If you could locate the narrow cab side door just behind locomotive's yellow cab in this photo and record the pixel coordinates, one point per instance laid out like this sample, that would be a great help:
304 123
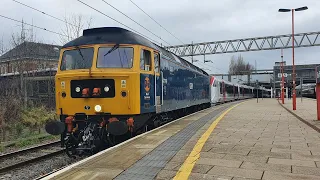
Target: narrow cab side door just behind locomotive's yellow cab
158 82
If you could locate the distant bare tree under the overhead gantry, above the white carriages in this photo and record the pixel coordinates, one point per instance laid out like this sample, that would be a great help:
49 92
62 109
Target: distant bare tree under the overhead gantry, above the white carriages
239 66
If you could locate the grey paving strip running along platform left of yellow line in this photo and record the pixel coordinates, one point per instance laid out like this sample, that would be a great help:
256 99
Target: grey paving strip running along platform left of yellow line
151 164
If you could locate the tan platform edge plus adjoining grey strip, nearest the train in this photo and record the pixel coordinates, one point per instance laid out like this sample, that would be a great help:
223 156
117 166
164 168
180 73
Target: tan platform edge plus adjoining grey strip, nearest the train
143 157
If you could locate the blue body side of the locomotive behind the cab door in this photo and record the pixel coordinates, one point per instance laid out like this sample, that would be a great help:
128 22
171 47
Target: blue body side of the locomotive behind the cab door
182 86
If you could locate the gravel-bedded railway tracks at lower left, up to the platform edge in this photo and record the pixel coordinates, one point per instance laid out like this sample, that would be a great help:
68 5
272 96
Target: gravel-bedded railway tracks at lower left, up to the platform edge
36 162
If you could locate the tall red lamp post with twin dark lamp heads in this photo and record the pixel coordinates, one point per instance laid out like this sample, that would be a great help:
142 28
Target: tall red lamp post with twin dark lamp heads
294 100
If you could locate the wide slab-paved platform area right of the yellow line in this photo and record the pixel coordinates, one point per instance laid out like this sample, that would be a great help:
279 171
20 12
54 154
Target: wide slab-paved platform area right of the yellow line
253 141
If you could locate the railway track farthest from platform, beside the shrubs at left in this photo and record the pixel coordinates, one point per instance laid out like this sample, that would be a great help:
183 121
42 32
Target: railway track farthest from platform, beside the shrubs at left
21 158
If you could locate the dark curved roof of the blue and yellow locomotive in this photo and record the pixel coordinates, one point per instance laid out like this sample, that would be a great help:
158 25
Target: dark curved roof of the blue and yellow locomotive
117 35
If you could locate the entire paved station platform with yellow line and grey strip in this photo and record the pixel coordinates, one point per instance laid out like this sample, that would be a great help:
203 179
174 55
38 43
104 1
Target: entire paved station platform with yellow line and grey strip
249 140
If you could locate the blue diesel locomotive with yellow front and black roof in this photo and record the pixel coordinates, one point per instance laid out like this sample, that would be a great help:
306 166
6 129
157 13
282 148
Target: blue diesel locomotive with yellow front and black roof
112 83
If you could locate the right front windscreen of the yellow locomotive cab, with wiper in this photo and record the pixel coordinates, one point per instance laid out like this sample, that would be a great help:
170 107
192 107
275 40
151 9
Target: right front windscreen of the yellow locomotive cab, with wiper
118 57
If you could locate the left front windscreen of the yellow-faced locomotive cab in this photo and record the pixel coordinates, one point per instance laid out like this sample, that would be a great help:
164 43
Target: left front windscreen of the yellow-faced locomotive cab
80 58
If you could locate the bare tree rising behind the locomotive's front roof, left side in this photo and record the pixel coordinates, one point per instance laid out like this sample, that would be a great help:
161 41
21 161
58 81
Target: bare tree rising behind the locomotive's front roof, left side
73 27
